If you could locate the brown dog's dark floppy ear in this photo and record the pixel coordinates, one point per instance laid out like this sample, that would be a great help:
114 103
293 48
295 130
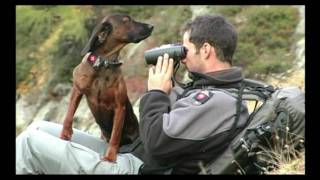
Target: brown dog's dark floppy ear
99 34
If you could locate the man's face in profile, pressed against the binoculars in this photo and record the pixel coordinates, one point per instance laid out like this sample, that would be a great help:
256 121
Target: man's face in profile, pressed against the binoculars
192 60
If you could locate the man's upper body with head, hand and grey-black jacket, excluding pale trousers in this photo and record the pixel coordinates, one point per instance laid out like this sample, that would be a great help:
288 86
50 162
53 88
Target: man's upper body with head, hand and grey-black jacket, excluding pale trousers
193 125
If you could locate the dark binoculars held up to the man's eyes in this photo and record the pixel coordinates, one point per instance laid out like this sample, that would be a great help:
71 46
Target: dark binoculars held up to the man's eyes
176 52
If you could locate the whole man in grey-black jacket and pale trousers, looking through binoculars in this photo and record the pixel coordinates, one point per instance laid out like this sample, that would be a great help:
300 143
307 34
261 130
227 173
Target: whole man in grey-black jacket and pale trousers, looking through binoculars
180 128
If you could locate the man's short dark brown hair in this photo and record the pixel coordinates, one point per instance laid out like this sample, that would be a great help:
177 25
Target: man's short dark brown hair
216 31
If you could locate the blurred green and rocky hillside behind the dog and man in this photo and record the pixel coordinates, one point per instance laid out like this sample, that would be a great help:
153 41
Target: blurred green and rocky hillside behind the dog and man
49 40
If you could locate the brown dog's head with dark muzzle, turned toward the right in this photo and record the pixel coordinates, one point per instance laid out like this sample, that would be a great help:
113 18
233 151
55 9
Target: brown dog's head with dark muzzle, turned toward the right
119 27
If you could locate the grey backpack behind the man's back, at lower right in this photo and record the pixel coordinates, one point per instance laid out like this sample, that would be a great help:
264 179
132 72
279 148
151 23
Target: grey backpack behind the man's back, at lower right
275 125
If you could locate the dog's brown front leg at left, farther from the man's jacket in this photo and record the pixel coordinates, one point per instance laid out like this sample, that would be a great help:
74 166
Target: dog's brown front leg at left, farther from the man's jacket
75 98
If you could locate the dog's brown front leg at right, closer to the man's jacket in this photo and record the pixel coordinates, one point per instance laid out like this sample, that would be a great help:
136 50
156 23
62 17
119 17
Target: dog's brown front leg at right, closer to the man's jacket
118 121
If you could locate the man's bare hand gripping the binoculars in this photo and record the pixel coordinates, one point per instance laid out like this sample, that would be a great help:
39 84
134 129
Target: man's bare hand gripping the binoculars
160 75
